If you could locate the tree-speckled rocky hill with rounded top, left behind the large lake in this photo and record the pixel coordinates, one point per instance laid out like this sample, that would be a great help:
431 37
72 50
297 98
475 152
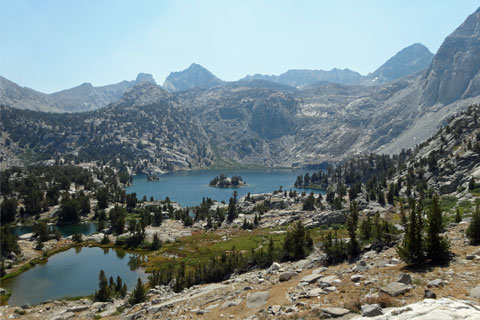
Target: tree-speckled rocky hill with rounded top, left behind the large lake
146 129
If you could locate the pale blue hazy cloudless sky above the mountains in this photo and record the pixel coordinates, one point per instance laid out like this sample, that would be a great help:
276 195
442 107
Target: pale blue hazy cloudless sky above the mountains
51 45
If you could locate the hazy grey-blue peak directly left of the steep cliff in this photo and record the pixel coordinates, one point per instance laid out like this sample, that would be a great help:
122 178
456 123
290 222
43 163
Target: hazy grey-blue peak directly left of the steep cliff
408 61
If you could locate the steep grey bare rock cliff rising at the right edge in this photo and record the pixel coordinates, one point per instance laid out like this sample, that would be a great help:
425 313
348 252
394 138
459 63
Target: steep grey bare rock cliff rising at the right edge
455 70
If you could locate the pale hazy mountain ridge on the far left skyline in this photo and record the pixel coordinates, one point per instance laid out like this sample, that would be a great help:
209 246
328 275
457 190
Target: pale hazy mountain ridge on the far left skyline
84 97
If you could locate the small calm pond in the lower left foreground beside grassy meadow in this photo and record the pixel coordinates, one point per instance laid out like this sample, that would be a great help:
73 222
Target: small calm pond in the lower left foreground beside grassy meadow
73 273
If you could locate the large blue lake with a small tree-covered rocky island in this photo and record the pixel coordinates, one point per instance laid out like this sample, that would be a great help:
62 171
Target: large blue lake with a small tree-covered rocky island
189 187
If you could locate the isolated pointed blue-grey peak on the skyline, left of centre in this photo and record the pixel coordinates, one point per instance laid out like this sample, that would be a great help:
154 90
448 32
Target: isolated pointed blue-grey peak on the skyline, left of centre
193 76
